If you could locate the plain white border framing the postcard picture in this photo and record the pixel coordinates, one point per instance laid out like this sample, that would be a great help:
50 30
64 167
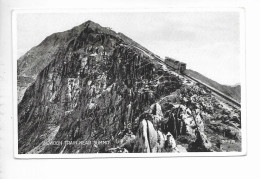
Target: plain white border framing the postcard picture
243 152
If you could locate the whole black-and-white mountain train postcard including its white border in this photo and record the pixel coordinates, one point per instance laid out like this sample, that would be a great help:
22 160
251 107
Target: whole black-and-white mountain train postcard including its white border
128 83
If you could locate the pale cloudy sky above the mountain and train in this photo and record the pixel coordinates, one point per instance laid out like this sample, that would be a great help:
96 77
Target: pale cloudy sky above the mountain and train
207 41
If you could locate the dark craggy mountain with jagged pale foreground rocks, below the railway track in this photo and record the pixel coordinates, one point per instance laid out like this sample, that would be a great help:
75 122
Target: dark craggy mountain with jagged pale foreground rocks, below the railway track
100 93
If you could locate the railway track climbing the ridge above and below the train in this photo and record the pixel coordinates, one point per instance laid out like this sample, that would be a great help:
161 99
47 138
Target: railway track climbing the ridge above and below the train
214 91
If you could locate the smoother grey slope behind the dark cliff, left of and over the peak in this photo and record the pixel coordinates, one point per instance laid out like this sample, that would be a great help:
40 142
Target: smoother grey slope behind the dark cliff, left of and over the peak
36 59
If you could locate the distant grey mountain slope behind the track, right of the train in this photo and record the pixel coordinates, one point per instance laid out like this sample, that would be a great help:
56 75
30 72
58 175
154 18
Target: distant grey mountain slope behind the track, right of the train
232 91
